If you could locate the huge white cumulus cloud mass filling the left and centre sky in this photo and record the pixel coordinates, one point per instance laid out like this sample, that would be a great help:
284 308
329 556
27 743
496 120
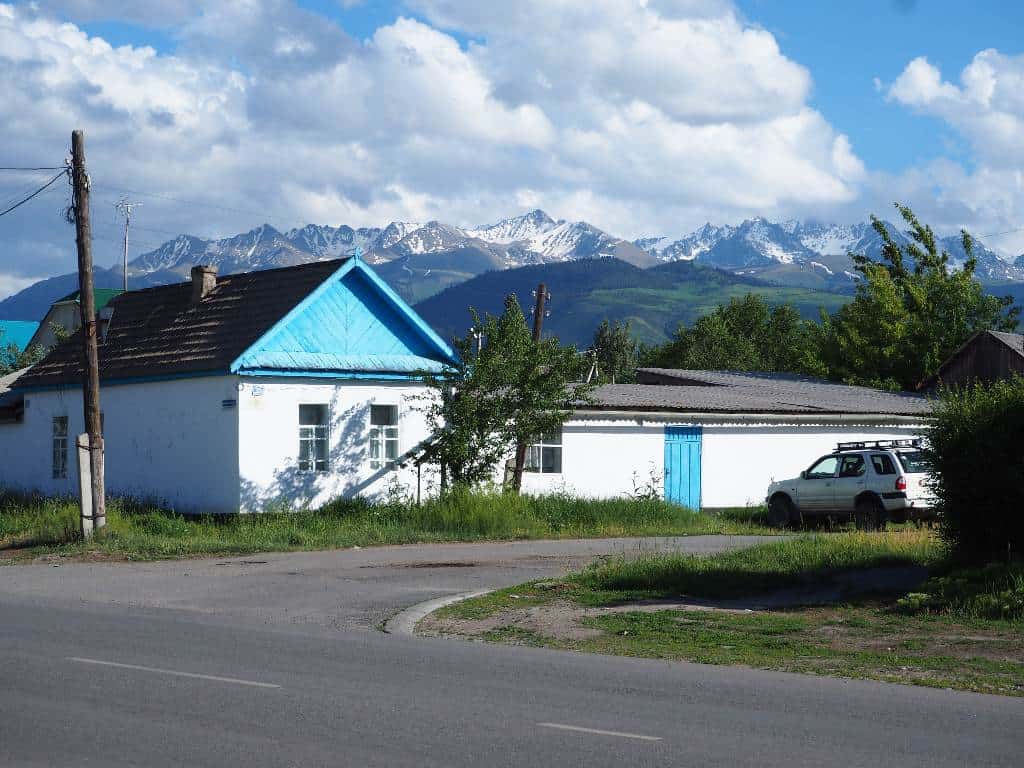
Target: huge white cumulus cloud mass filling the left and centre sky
641 115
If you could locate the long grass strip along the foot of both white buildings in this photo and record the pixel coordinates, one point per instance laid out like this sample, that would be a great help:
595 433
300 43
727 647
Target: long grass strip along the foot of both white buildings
31 526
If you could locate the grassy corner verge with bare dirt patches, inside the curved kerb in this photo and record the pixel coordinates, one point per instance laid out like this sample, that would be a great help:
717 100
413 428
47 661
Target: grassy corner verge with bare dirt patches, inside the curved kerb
961 629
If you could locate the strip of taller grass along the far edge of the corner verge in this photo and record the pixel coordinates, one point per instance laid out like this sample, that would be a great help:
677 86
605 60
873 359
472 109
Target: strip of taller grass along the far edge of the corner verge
779 565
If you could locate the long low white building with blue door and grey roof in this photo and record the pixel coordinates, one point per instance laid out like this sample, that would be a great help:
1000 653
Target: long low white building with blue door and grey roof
711 440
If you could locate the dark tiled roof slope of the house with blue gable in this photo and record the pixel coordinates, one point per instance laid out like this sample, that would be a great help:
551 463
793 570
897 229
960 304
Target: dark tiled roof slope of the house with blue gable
160 332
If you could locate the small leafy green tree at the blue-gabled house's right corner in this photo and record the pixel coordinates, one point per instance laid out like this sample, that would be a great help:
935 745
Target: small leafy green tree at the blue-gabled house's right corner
507 392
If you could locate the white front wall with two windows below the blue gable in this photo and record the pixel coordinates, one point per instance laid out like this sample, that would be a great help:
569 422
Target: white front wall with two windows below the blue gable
269 410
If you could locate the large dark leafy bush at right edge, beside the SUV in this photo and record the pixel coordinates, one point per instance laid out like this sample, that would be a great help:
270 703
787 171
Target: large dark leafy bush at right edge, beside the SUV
977 449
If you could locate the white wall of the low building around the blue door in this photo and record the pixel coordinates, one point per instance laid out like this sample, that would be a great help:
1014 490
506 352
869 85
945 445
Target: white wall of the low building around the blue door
607 458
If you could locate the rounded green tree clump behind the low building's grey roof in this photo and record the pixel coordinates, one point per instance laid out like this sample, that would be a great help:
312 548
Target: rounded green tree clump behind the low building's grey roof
747 334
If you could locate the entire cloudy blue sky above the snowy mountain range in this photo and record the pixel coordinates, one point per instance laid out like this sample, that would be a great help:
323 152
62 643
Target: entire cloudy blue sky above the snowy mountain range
644 117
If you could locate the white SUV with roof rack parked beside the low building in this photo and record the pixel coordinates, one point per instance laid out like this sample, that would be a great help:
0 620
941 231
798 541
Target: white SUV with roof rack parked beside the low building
873 483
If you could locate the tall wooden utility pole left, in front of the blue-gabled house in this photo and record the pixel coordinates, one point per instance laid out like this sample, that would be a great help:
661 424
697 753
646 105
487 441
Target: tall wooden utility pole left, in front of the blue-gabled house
91 355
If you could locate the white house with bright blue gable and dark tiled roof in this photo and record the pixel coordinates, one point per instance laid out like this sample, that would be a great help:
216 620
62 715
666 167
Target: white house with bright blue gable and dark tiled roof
282 388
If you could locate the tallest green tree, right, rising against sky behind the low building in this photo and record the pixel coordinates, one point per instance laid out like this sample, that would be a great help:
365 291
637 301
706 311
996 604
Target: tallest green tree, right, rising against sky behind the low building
911 312
